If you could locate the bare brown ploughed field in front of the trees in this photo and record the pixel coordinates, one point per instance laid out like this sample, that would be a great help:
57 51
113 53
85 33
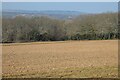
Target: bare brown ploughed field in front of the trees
62 59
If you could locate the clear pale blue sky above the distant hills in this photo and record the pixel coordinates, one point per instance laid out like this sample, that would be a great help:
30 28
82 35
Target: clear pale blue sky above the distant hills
89 7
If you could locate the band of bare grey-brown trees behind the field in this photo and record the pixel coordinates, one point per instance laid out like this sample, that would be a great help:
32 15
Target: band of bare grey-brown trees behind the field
84 27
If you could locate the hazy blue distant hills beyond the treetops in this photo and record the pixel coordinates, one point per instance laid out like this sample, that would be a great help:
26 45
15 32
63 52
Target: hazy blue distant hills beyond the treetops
59 14
